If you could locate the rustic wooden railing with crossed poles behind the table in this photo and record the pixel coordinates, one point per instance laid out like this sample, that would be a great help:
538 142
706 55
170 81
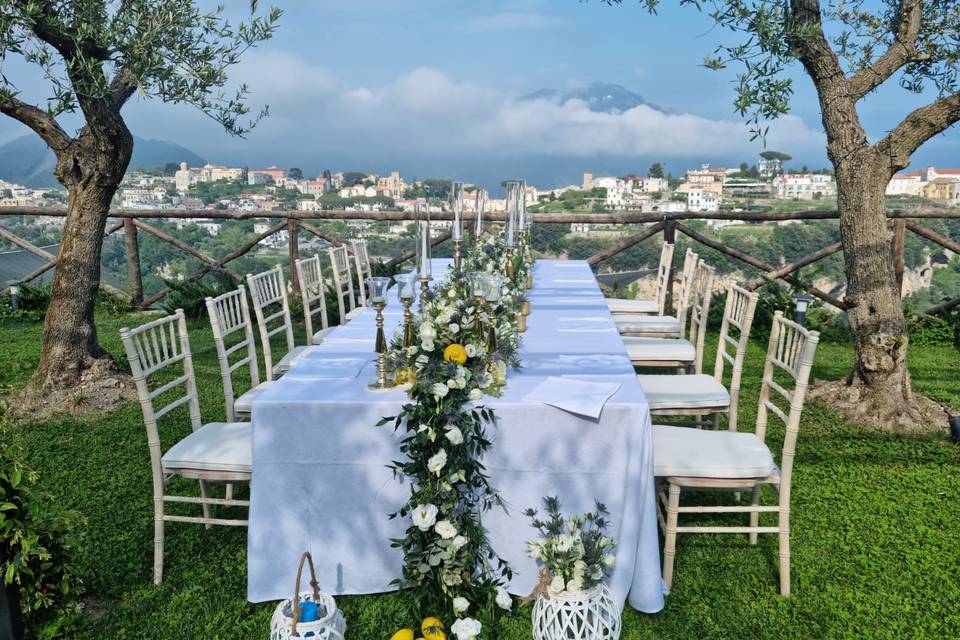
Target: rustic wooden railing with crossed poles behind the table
132 222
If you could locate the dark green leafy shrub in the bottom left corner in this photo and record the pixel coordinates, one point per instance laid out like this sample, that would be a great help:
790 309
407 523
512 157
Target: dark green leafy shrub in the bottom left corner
38 540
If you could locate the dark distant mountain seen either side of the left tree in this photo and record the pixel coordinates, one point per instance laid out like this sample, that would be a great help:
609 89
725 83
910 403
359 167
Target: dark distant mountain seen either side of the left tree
28 161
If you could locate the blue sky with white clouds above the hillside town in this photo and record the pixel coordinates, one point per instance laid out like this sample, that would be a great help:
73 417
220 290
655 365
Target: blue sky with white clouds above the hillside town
430 88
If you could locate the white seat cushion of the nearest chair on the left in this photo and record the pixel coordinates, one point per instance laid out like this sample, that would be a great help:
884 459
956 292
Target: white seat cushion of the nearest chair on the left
217 446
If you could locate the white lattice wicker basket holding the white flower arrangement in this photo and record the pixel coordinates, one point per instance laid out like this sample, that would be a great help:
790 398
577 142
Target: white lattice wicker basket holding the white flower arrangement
577 615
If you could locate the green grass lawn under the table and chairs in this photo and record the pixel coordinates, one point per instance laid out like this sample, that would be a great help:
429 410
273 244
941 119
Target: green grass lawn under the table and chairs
876 524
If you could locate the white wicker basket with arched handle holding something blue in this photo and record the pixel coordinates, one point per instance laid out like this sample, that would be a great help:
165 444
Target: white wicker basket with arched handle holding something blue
329 625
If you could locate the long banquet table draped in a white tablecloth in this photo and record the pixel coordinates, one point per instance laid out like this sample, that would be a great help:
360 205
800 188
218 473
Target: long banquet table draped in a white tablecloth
320 480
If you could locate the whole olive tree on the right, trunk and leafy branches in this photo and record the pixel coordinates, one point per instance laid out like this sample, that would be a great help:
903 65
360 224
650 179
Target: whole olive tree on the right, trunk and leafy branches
848 49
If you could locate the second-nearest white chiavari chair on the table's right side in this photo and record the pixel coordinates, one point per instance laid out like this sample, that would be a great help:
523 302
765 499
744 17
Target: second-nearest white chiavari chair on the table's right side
701 394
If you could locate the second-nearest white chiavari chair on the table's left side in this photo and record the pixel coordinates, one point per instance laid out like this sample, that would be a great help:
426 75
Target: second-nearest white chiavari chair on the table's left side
233 338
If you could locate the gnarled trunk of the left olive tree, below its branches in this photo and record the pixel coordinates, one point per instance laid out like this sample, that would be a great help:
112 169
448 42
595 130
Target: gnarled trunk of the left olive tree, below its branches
91 169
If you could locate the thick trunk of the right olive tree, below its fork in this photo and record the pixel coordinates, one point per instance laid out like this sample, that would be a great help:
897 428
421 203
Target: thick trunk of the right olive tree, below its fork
878 389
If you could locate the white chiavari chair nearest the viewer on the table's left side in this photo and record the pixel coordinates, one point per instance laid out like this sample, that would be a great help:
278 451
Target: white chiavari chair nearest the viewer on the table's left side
214 452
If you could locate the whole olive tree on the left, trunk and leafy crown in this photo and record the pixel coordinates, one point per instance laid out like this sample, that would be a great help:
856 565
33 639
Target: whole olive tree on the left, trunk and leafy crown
96 55
